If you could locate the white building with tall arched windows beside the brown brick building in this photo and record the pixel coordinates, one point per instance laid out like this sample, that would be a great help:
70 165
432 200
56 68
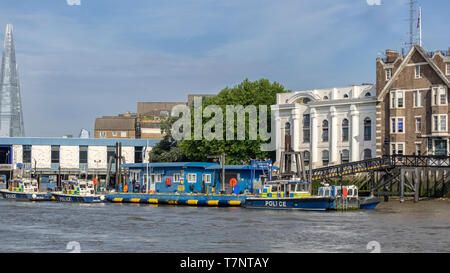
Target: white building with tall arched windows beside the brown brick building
331 125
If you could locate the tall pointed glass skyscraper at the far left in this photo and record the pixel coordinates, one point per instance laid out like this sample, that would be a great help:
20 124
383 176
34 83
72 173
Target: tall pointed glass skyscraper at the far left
11 117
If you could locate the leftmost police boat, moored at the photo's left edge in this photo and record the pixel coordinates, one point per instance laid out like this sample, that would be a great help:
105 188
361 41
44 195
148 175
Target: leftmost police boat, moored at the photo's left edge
25 189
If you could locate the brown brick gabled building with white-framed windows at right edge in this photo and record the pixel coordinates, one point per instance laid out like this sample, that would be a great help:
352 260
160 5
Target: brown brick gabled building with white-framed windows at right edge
412 102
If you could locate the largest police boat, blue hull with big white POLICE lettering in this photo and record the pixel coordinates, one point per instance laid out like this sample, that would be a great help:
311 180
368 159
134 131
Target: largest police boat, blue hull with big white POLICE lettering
288 194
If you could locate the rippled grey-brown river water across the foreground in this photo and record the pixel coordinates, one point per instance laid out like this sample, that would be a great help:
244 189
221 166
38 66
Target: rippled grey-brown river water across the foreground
56 227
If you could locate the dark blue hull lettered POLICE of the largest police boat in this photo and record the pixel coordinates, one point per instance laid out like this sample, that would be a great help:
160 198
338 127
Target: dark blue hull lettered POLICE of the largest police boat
301 203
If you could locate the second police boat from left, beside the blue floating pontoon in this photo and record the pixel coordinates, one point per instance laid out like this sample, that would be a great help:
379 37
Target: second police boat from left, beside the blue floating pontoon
78 191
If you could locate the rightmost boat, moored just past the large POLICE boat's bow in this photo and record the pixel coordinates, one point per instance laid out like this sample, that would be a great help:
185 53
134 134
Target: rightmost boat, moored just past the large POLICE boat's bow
347 198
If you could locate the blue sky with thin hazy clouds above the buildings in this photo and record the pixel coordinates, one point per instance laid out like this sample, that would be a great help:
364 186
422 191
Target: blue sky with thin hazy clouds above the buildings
83 59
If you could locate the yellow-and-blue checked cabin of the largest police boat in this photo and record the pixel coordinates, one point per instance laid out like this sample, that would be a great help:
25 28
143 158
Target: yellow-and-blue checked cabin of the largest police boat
287 188
